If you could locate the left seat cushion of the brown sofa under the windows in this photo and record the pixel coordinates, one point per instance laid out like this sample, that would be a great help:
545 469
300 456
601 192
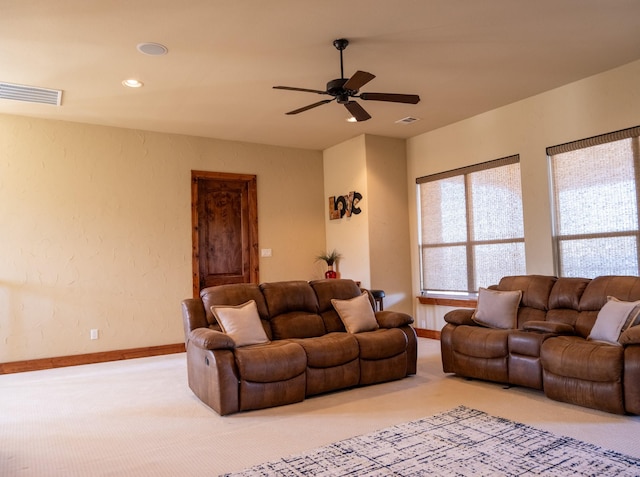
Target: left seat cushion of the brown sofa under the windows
480 342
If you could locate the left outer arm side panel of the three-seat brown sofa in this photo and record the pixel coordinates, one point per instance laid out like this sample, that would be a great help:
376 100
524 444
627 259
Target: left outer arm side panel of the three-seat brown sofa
212 376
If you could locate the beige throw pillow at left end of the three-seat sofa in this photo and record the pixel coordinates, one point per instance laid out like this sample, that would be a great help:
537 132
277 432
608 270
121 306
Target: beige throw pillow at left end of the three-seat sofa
241 322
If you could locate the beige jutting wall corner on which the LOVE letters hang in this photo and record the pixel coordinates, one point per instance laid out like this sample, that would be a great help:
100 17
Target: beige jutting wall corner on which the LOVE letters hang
375 243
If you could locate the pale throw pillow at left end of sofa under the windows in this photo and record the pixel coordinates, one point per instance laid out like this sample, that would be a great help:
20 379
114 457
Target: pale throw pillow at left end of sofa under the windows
497 308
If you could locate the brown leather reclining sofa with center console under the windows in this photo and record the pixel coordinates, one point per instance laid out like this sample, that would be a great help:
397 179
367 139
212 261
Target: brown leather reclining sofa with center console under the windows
550 347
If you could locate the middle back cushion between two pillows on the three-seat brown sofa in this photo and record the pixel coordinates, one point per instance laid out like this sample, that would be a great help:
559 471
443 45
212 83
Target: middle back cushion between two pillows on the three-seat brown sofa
293 310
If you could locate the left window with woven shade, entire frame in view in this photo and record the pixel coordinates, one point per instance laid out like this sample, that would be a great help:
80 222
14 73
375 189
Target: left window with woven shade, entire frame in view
471 227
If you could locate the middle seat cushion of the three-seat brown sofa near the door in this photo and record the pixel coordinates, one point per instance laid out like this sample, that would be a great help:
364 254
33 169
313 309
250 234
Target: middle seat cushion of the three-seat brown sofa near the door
333 349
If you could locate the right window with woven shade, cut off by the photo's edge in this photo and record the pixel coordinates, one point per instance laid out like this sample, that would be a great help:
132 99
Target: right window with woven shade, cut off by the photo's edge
595 205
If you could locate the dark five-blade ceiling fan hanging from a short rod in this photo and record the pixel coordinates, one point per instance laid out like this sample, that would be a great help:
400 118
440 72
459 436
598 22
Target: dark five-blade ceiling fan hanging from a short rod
344 89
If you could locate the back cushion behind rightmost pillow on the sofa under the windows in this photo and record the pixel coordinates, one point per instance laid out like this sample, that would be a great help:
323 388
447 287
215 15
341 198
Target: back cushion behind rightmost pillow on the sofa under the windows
595 296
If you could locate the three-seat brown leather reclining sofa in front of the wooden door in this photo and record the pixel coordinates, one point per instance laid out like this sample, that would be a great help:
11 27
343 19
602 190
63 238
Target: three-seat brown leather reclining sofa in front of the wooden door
308 351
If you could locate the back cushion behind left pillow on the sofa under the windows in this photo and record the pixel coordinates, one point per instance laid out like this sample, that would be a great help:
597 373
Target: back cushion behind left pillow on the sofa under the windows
535 295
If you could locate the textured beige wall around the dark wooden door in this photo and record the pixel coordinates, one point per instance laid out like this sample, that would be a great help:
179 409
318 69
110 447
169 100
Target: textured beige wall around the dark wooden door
95 230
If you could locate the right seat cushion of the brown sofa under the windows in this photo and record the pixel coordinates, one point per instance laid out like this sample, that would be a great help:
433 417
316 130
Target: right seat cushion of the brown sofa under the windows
575 357
